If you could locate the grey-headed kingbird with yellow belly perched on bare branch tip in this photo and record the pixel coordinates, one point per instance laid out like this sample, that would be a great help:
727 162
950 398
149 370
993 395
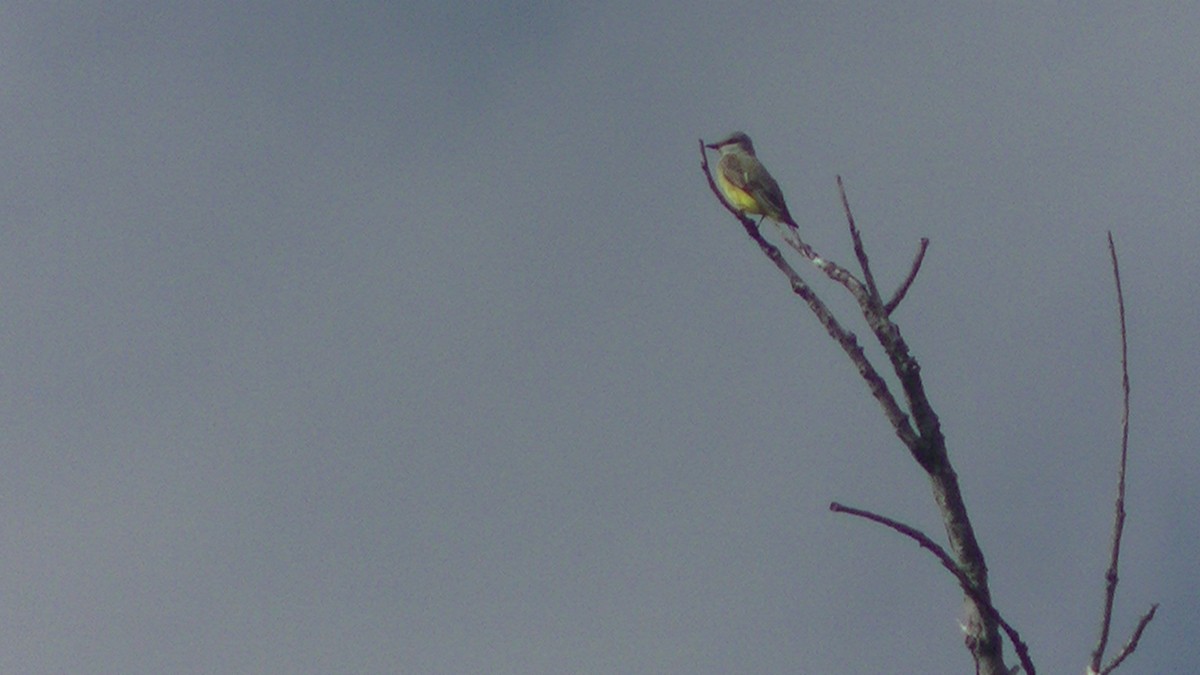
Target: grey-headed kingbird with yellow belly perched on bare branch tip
746 182
